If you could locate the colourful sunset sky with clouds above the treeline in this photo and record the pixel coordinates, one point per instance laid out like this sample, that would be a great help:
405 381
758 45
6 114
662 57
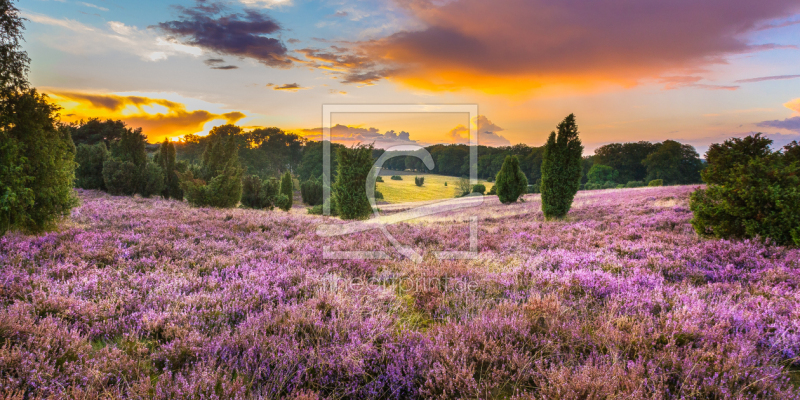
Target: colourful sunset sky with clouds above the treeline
694 71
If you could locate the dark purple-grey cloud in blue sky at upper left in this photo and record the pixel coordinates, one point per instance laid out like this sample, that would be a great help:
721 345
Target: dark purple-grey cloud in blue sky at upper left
207 25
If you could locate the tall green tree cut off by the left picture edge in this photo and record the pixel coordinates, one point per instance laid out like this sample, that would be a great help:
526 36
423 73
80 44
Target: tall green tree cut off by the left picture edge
37 167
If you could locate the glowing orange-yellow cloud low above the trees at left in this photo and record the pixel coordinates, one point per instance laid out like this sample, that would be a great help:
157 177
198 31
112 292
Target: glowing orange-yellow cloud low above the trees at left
158 118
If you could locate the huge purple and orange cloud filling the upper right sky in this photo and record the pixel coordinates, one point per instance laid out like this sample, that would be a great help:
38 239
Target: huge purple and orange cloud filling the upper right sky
512 45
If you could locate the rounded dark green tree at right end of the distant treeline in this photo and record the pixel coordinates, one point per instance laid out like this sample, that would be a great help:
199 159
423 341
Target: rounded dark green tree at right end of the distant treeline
674 163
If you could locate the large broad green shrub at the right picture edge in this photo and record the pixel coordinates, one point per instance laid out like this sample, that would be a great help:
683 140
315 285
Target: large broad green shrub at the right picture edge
751 192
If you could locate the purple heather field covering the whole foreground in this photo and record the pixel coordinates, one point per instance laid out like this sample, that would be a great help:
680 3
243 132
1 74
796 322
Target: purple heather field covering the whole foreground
146 298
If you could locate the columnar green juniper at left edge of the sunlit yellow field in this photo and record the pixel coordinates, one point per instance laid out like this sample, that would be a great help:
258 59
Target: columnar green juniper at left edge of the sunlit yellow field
349 190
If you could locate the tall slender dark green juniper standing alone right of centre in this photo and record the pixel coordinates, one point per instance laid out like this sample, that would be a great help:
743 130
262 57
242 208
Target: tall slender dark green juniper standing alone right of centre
561 169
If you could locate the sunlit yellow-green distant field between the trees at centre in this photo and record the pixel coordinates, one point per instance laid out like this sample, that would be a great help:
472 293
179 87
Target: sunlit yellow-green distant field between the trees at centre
433 189
